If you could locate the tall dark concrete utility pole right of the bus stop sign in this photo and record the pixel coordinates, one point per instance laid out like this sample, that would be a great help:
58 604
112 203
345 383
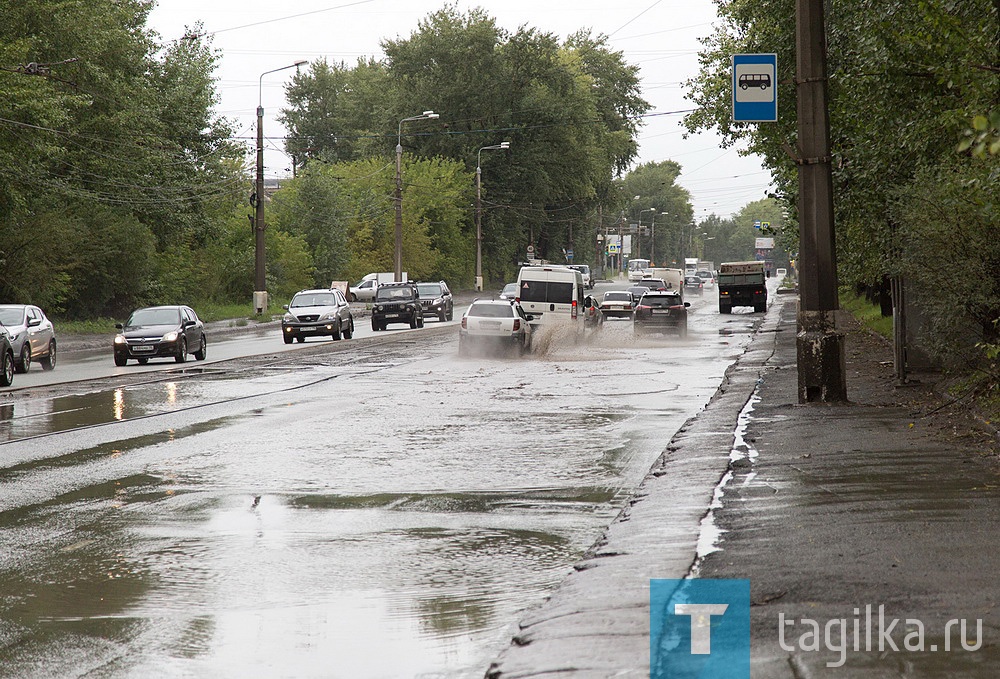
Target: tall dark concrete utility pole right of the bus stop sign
820 348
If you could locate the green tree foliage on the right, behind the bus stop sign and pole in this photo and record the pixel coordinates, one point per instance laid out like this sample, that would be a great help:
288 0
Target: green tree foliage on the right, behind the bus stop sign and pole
904 80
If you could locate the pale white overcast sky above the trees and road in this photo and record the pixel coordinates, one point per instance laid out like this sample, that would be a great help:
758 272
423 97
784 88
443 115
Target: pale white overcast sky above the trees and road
660 36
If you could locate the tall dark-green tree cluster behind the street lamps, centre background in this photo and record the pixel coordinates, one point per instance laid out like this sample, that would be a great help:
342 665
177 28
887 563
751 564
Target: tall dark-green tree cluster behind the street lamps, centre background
570 112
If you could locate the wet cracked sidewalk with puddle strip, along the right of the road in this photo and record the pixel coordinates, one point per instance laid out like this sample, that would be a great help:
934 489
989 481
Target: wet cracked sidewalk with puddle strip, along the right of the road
830 508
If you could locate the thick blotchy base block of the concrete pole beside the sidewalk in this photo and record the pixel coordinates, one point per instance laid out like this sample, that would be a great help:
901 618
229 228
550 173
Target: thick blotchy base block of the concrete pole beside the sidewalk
821 363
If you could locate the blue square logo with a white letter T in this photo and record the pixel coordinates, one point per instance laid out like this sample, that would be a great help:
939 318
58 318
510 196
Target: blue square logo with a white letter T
699 629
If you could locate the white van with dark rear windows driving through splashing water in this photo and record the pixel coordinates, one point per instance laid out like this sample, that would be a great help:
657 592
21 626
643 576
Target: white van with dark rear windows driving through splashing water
551 294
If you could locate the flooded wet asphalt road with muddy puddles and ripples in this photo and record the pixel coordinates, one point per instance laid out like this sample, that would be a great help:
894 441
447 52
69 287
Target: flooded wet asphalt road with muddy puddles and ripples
367 508
